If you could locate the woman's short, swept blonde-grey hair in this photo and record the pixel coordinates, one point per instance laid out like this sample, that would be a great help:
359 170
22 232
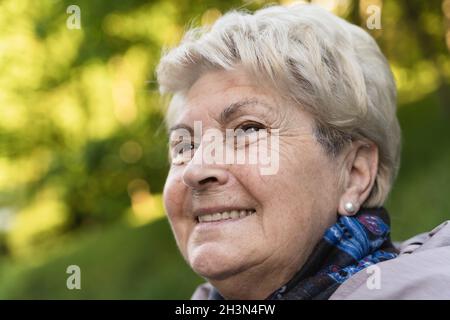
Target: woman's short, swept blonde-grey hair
331 68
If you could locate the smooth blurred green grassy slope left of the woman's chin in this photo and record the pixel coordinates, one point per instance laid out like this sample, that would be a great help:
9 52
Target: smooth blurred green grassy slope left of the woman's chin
120 263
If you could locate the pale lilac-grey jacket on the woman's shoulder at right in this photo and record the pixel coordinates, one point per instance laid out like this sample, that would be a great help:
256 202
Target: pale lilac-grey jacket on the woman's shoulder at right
421 271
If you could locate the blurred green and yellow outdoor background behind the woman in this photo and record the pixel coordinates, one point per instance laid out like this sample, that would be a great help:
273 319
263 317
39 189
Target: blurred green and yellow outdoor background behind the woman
83 146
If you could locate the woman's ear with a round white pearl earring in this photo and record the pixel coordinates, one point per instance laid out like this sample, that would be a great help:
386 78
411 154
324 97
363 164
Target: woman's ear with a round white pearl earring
360 170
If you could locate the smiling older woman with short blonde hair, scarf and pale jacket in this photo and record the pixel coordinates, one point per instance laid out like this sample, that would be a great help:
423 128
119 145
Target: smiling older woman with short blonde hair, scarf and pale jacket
314 227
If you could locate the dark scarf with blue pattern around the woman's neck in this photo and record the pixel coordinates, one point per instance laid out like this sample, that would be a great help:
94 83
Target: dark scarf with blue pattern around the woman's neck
350 245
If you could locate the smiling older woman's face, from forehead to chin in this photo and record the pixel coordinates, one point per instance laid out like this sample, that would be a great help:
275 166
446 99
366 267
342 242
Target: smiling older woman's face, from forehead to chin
278 218
